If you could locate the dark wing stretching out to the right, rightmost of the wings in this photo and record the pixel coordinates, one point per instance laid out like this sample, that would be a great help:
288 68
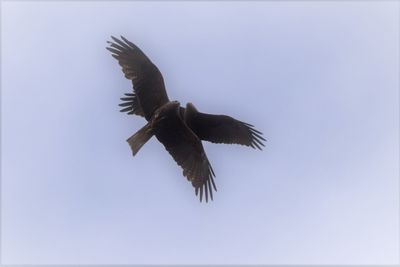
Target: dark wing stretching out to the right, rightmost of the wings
222 129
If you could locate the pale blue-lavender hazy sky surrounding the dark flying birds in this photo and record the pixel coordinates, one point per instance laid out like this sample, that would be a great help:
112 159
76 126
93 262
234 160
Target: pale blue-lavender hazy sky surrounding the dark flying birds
319 79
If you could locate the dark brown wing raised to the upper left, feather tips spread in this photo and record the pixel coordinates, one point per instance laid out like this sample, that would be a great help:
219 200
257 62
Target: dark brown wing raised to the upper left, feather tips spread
148 83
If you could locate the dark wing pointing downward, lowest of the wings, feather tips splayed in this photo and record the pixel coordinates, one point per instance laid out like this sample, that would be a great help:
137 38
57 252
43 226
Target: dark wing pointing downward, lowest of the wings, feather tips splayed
186 149
